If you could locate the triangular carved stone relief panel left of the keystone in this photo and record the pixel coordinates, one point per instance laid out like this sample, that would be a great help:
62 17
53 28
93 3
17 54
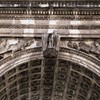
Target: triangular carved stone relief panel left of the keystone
12 45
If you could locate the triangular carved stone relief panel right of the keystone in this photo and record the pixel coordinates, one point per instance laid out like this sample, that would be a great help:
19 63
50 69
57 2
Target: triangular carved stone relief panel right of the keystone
89 46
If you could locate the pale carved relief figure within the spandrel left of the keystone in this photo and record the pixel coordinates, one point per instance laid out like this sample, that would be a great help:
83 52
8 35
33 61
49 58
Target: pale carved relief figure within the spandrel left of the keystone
7 46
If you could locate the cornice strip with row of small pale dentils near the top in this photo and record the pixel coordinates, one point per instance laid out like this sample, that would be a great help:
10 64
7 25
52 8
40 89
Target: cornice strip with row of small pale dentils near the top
45 11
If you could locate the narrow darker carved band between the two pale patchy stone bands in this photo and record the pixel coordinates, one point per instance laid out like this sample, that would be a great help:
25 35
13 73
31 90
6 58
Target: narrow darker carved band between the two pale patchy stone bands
19 26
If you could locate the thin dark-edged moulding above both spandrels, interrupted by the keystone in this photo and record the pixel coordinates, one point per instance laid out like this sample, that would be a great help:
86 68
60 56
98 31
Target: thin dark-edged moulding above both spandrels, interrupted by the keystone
62 35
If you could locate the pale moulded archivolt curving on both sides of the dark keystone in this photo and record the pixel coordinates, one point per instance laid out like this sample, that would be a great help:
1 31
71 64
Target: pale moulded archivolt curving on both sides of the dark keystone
66 54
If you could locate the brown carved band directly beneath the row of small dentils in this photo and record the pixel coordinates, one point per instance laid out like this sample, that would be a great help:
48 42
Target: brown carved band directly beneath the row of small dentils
51 17
